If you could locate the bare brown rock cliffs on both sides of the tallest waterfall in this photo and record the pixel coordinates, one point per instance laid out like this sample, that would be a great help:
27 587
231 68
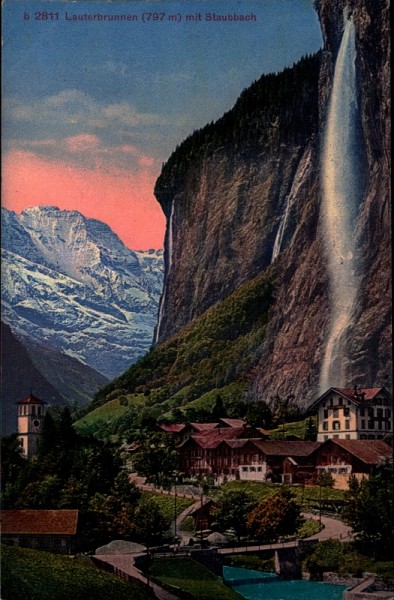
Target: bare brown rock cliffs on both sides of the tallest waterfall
225 211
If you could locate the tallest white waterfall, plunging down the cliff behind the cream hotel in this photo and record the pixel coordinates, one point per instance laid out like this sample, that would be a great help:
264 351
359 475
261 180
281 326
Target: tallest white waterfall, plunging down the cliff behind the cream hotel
341 188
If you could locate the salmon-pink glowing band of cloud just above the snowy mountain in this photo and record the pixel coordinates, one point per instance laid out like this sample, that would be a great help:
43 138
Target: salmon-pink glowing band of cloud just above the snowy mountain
123 200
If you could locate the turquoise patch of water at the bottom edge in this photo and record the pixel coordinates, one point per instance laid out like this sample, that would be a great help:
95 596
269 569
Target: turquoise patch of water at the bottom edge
255 585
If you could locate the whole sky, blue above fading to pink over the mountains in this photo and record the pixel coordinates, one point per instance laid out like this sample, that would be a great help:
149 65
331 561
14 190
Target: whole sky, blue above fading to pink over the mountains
93 107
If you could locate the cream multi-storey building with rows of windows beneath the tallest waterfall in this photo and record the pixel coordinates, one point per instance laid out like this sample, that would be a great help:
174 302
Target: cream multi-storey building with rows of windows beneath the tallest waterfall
354 414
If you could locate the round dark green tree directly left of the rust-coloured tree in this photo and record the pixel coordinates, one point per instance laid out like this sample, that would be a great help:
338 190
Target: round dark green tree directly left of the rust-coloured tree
232 511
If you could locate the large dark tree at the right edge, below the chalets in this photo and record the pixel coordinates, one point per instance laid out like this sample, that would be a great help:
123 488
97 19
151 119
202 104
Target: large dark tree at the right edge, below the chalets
370 511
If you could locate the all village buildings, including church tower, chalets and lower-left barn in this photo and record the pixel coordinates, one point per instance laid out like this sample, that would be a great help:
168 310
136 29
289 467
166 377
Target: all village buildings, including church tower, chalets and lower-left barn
352 426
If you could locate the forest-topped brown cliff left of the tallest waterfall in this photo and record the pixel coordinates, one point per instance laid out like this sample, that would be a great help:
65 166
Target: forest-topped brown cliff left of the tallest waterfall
224 192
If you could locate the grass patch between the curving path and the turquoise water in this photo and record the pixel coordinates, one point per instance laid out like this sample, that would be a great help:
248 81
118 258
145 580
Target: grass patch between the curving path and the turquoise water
190 576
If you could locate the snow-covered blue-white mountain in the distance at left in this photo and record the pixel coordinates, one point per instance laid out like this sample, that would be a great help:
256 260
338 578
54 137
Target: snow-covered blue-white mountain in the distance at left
70 283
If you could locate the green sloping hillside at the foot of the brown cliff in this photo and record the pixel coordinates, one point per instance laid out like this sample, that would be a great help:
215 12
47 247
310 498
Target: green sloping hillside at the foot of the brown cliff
210 357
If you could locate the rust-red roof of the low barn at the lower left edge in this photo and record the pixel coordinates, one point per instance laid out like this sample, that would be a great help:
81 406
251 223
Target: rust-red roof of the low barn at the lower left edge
39 522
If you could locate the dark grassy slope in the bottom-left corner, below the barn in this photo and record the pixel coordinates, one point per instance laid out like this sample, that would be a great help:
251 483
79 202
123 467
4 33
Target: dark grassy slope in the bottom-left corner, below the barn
33 575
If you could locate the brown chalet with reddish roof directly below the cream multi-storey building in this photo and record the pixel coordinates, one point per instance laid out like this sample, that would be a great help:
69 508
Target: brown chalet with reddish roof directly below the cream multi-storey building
343 458
